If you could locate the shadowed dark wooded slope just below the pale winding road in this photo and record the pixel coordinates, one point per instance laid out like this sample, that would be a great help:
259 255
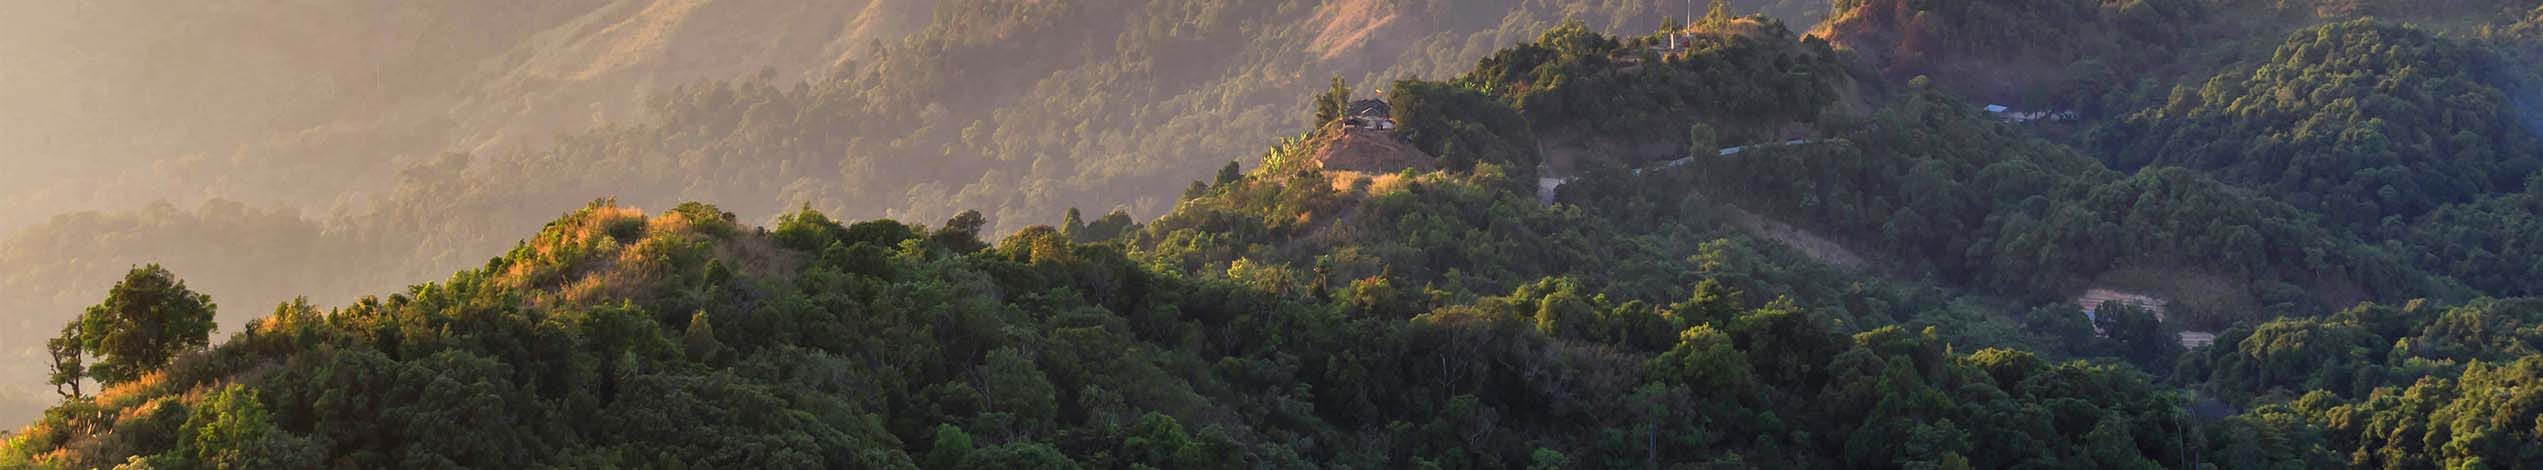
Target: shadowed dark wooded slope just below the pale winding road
2020 217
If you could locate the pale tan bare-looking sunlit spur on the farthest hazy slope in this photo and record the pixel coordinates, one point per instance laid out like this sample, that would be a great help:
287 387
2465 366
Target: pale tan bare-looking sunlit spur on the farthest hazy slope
594 70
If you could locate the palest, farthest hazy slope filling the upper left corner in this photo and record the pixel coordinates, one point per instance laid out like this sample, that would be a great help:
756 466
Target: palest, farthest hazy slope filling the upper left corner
306 103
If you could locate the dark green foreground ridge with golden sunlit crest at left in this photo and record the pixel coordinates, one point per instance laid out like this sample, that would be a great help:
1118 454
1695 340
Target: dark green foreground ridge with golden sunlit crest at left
622 339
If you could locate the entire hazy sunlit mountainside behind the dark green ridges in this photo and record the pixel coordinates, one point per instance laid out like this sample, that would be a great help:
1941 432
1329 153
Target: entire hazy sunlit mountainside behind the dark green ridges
856 108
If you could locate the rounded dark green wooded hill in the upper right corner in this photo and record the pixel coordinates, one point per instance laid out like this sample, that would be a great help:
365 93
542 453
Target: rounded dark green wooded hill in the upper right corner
2356 121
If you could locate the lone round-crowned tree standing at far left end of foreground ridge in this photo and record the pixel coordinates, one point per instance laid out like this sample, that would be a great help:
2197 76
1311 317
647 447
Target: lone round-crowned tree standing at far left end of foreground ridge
144 324
